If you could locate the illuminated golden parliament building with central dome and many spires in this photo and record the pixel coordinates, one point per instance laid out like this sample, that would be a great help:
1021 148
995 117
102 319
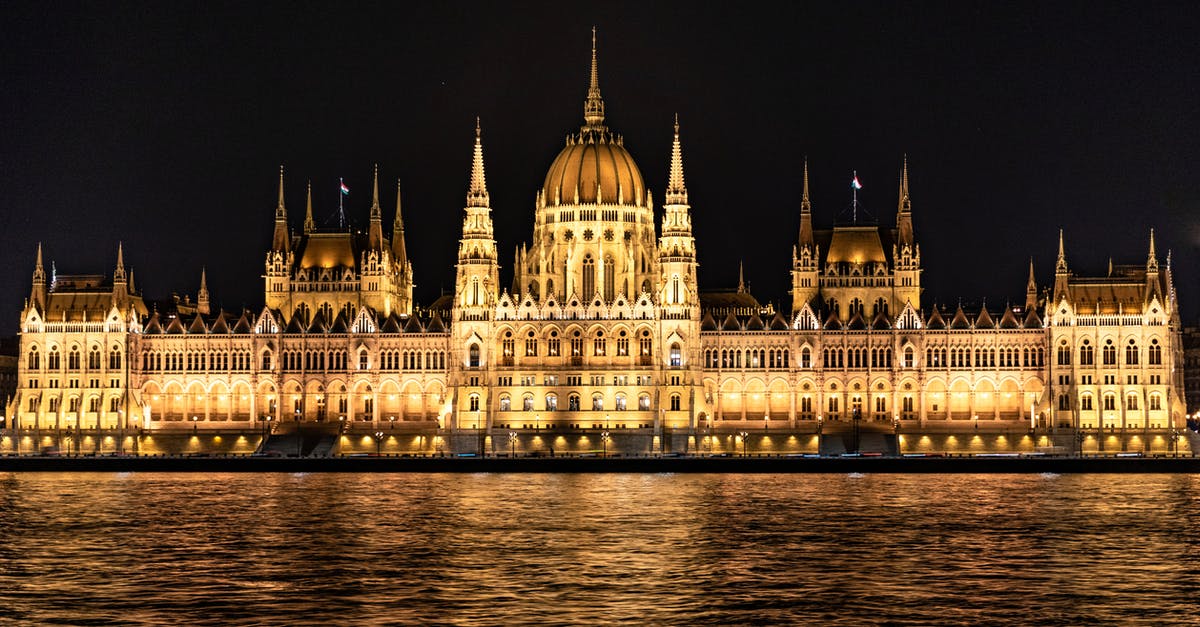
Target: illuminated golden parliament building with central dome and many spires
604 341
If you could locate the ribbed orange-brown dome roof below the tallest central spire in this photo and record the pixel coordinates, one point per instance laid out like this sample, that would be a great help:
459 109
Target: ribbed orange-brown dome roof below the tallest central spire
597 169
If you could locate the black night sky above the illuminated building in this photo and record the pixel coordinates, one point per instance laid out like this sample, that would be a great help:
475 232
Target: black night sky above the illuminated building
164 126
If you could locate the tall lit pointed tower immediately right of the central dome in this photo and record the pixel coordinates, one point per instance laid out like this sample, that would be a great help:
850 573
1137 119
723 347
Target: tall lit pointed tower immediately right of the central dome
679 291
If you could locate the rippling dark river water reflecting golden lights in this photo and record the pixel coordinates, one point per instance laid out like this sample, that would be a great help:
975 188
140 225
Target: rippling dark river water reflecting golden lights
587 550
